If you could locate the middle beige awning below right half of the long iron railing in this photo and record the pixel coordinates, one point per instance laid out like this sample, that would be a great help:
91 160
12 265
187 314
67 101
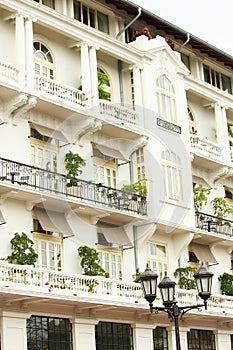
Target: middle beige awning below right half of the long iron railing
115 235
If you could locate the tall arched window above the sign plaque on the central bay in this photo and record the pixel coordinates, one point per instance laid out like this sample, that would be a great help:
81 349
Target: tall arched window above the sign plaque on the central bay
166 99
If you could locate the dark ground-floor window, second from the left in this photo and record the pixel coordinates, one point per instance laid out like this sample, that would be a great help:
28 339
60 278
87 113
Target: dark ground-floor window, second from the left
114 336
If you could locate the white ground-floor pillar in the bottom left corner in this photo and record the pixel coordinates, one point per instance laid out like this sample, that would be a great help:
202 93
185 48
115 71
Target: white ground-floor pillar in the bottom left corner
13 330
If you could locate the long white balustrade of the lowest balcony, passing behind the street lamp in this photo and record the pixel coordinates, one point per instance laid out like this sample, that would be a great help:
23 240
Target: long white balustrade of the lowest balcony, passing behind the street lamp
39 282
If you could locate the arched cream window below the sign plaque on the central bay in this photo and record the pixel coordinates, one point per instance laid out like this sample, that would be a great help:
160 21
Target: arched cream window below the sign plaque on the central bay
171 165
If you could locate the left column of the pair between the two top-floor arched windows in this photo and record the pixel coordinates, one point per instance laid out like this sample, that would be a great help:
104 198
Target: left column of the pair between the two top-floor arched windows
85 69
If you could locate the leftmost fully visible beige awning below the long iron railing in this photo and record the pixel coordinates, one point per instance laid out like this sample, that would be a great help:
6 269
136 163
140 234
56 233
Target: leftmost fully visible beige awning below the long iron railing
53 221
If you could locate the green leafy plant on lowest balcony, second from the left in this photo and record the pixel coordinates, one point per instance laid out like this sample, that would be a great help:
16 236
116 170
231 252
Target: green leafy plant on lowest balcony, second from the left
90 261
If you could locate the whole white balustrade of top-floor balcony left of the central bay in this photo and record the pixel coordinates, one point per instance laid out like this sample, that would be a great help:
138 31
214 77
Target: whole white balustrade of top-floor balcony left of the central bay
56 92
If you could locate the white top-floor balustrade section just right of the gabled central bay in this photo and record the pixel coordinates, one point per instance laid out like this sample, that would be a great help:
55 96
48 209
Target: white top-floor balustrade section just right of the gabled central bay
206 147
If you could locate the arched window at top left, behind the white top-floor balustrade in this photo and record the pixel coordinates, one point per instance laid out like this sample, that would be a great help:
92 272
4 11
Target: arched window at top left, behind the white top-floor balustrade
44 65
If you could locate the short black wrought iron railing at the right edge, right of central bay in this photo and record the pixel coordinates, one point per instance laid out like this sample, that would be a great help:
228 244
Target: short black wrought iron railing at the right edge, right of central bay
210 223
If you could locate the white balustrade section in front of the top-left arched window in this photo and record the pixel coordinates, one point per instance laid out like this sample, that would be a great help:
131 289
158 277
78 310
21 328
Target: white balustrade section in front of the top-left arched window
61 91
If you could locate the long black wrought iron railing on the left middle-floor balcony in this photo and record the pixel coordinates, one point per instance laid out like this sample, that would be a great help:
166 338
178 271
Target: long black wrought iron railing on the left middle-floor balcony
50 182
